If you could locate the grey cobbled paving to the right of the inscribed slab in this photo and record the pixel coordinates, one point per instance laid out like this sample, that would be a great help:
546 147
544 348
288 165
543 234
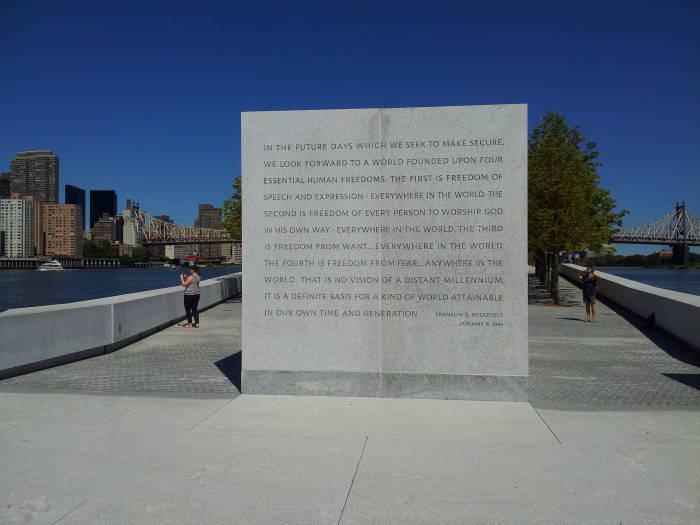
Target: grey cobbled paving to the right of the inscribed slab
611 363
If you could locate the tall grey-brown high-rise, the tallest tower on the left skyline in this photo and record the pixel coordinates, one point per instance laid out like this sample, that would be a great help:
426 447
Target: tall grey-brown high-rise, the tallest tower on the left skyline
35 173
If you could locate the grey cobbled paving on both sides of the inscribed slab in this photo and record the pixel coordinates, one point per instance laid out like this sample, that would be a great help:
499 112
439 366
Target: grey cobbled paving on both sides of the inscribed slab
611 363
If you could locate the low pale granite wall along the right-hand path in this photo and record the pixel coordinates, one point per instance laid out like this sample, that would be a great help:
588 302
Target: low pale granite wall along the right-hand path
677 313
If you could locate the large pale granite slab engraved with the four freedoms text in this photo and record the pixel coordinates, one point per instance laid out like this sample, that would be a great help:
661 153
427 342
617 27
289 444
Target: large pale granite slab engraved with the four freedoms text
385 252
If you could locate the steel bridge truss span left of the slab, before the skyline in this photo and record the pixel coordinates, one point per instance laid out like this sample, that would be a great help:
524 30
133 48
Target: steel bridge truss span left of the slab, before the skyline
157 232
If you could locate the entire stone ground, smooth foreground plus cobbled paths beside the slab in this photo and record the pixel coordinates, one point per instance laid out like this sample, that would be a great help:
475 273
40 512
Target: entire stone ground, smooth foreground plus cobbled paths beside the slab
157 433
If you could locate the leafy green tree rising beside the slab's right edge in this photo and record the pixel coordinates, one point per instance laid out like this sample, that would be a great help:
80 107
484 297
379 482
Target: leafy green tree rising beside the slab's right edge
567 209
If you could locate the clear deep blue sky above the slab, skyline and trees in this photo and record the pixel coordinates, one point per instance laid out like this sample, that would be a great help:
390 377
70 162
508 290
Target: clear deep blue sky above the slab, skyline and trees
145 97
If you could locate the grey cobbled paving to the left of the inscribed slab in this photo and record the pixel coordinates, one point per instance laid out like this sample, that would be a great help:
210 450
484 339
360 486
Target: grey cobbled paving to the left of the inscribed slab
204 361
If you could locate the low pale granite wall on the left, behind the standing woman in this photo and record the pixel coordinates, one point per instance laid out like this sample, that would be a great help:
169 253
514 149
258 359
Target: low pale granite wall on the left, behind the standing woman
41 336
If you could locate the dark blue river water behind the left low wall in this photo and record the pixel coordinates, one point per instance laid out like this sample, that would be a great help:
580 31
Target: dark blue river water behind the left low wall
22 288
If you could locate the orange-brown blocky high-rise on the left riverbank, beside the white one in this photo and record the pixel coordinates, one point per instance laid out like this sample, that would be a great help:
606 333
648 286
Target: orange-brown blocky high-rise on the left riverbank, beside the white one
61 230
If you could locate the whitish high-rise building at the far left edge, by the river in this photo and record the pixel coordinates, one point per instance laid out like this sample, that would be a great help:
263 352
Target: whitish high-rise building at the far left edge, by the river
17 221
